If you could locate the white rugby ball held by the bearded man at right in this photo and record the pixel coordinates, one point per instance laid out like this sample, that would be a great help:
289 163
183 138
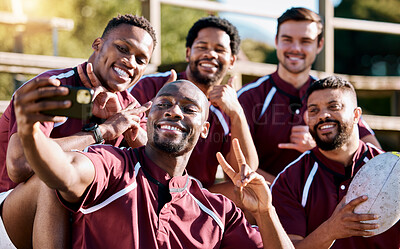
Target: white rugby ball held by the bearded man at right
379 179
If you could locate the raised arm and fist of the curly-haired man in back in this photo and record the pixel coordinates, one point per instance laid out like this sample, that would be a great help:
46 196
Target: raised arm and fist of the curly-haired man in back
225 97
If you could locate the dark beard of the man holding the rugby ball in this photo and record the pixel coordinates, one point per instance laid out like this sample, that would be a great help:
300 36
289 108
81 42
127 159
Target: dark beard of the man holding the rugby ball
342 136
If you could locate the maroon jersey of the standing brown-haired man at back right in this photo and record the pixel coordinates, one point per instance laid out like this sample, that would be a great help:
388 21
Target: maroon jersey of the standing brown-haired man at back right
272 107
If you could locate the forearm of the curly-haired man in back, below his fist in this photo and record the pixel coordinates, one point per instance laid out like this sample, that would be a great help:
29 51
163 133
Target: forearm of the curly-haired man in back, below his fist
240 130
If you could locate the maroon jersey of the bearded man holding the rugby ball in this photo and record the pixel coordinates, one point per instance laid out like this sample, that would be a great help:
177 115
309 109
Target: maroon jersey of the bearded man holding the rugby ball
307 191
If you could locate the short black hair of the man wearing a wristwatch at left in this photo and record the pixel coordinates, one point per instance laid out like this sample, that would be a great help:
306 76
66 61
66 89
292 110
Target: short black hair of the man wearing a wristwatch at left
138 21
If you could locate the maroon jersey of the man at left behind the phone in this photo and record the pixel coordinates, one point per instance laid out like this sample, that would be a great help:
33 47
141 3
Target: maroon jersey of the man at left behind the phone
8 124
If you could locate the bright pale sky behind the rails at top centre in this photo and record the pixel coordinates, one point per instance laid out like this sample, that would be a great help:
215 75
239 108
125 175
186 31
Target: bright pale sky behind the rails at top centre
264 29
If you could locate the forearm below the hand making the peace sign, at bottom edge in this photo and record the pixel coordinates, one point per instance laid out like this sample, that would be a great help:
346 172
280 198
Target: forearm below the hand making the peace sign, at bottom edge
272 233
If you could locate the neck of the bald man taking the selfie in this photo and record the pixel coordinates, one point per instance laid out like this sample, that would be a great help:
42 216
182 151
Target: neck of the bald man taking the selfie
173 165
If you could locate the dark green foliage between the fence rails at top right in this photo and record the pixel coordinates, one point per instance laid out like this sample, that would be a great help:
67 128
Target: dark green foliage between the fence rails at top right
367 53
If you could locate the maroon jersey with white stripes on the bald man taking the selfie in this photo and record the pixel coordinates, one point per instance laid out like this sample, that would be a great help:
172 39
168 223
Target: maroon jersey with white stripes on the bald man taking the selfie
120 208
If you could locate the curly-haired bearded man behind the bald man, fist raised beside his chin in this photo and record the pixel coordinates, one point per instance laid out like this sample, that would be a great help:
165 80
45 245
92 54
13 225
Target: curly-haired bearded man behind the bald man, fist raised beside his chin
212 45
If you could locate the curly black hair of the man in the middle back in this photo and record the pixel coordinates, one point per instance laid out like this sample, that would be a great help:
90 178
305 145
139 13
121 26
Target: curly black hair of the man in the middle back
215 22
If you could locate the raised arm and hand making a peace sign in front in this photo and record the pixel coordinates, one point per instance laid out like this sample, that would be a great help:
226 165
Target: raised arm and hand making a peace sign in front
256 197
